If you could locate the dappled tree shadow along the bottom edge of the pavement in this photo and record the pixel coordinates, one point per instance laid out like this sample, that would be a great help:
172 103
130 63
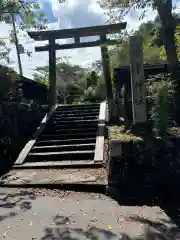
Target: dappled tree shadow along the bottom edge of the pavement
154 230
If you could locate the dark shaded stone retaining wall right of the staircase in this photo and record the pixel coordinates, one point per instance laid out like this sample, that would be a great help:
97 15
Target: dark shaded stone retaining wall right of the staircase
141 163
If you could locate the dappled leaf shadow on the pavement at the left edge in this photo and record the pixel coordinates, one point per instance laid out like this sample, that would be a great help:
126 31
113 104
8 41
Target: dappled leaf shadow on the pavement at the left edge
21 199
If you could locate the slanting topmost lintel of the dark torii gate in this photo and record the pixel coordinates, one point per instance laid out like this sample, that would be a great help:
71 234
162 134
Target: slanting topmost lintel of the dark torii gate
78 32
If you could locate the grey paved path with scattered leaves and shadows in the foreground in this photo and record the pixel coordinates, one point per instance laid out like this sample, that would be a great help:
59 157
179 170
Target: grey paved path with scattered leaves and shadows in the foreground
27 215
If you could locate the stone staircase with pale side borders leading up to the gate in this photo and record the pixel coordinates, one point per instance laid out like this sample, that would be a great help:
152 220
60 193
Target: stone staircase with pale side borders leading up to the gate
69 138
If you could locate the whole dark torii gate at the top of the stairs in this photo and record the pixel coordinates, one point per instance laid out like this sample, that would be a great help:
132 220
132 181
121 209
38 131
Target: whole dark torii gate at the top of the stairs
77 33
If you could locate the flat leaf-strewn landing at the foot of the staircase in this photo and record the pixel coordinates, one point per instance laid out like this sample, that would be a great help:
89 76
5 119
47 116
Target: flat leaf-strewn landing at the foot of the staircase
50 176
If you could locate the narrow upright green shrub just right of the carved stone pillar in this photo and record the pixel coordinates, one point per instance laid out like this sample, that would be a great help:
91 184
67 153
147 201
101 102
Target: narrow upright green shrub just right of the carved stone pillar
160 95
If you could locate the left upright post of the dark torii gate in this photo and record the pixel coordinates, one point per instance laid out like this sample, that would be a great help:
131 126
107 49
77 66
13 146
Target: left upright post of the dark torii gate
52 98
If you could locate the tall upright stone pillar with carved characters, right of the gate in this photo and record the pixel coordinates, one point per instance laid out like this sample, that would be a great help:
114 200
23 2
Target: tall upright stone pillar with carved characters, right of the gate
137 80
